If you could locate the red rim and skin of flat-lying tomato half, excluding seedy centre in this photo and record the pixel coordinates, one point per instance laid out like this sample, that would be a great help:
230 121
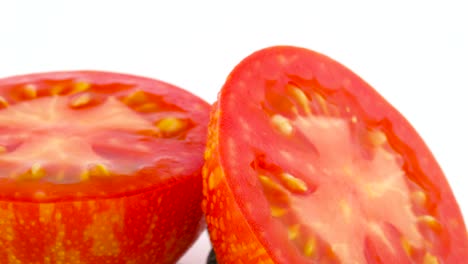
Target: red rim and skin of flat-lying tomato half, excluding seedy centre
151 216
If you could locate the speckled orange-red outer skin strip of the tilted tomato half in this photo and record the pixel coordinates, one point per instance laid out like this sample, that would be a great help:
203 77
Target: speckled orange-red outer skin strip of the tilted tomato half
230 234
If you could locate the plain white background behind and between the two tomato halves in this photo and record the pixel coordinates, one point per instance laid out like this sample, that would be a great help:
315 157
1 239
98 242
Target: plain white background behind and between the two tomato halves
415 54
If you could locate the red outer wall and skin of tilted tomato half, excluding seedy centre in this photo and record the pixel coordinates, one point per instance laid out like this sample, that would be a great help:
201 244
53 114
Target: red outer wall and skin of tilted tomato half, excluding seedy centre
241 229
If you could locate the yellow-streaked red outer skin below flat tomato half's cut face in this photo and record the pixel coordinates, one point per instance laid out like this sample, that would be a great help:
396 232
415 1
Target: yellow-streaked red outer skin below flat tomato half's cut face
152 227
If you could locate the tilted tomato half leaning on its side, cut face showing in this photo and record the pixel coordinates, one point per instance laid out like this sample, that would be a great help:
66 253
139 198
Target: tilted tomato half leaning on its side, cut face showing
306 163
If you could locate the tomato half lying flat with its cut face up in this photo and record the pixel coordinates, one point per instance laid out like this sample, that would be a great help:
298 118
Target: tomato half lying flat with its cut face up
99 167
